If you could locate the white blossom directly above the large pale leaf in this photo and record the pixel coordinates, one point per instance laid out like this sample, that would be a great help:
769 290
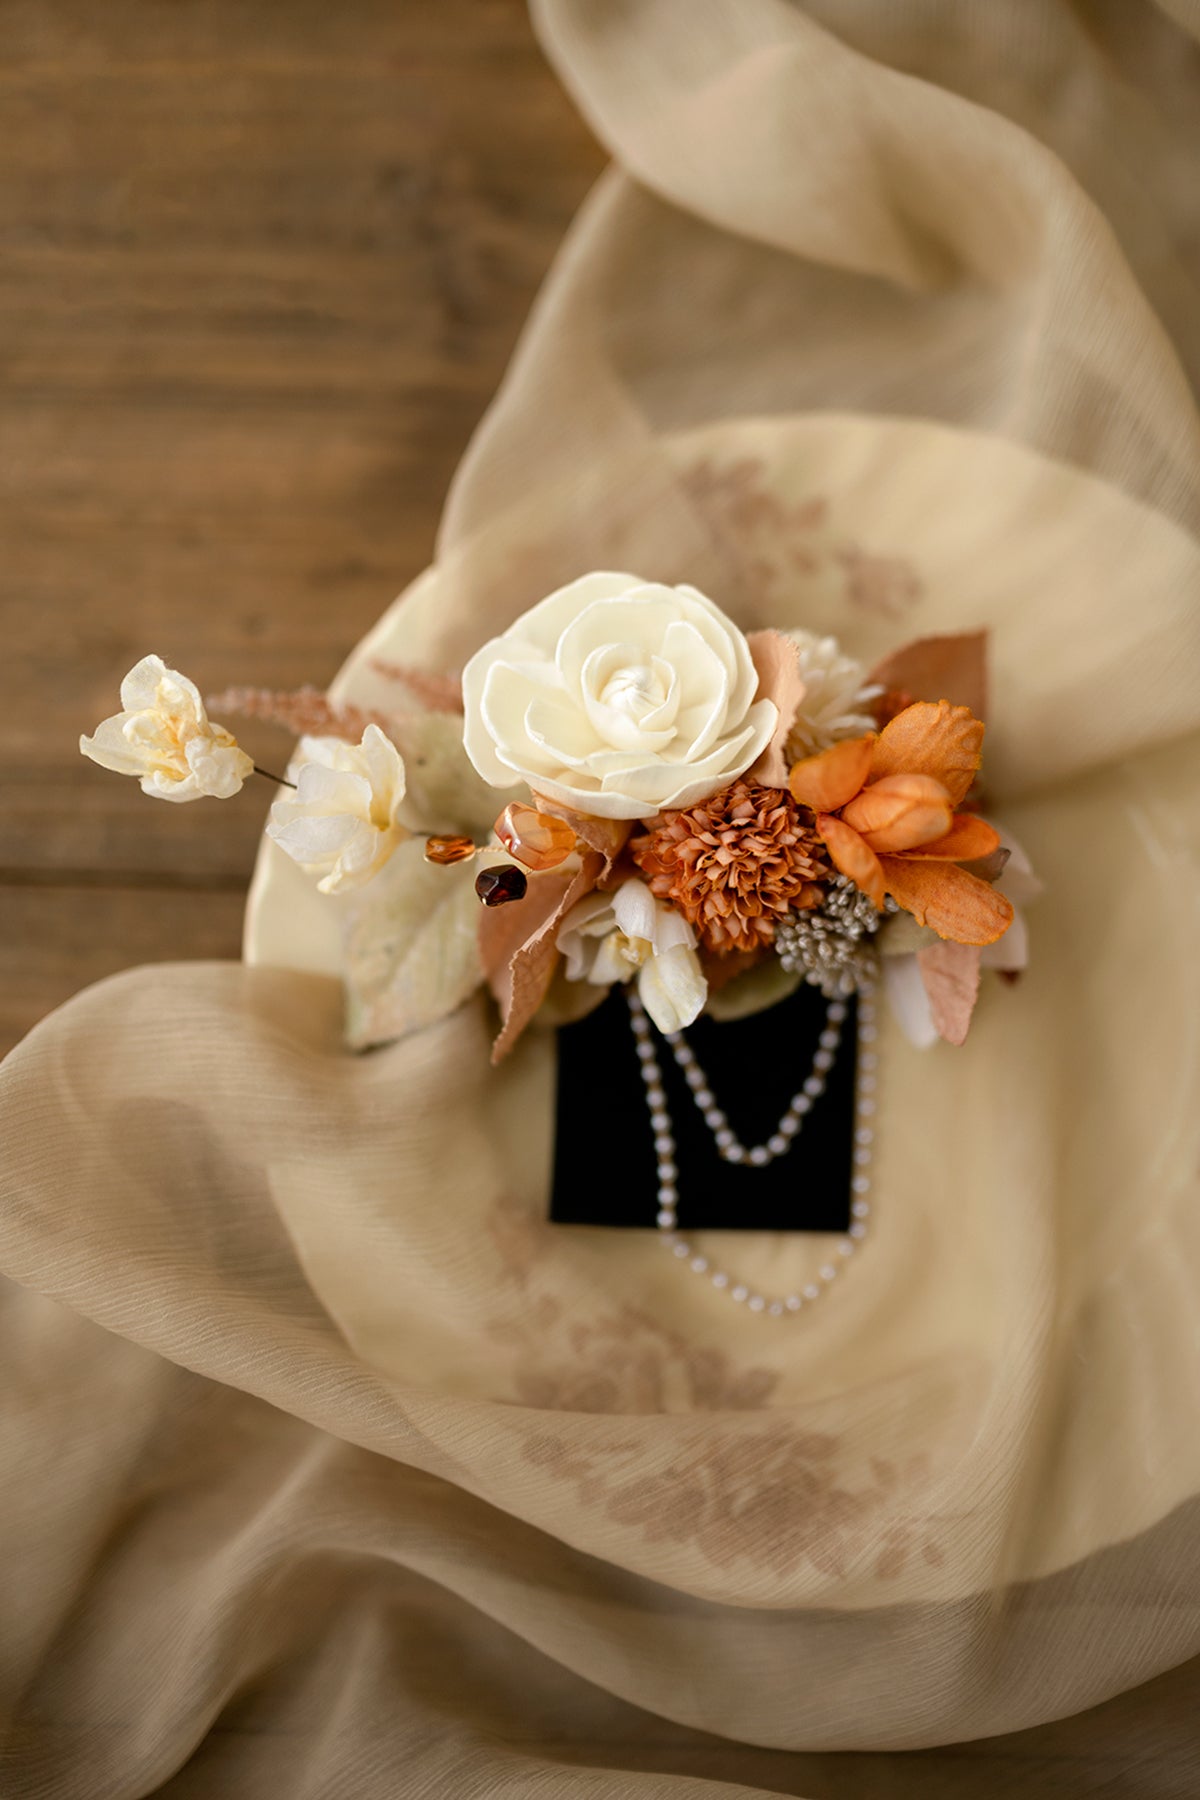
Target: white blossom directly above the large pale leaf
343 823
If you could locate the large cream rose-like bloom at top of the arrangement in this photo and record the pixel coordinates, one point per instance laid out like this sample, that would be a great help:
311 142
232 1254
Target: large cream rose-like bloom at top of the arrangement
616 697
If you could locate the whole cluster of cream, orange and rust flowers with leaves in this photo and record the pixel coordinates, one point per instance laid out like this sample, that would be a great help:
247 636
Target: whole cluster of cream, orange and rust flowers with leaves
625 787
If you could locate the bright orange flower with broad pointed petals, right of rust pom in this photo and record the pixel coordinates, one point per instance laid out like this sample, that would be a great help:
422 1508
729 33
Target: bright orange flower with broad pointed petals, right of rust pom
884 809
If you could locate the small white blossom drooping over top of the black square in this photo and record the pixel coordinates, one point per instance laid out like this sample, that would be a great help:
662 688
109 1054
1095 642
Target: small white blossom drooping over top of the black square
627 935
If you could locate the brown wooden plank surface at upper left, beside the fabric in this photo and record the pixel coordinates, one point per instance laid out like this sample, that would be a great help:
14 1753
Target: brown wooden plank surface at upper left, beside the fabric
262 271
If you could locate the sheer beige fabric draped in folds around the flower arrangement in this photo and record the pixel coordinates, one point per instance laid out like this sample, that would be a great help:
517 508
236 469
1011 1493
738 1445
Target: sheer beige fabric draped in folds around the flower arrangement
330 1468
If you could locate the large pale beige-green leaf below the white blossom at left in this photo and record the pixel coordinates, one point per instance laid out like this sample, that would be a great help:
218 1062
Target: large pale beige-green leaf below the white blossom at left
413 953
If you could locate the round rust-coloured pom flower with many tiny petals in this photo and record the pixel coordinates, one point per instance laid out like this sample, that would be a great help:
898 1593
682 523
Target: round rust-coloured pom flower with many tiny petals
733 865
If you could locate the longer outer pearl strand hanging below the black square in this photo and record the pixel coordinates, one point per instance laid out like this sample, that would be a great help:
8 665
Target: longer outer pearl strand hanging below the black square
668 1174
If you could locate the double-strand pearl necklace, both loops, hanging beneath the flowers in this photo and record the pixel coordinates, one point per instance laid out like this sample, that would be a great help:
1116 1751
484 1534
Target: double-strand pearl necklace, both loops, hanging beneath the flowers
776 1146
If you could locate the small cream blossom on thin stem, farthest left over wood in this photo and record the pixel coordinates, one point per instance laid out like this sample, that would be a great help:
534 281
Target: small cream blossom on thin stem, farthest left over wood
165 739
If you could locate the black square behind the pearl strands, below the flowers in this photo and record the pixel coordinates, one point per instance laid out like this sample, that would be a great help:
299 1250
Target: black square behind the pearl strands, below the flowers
605 1169
